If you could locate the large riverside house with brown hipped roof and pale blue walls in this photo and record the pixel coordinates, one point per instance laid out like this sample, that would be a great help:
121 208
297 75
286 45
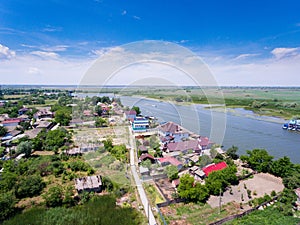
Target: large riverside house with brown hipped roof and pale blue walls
172 131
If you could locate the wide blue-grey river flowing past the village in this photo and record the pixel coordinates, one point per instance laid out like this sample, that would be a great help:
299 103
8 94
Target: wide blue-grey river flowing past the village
243 128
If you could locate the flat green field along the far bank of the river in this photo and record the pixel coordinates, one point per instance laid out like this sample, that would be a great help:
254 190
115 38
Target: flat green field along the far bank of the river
278 102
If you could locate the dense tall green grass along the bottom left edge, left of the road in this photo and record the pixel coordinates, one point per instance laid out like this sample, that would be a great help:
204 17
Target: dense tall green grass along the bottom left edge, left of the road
100 210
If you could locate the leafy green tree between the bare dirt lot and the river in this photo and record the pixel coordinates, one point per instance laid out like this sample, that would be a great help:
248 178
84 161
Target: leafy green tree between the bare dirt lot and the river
258 159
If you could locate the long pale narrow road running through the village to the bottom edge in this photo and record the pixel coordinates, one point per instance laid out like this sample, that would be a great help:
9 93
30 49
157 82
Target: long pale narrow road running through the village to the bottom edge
138 182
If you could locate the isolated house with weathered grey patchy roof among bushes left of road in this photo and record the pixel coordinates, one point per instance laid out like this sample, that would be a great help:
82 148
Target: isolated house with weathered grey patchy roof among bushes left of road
89 184
